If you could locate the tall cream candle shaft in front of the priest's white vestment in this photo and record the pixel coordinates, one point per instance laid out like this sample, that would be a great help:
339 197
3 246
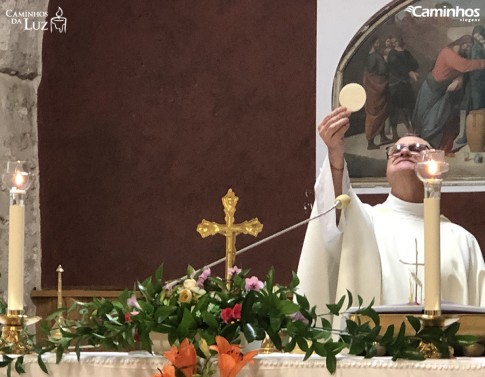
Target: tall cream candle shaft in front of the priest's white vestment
432 260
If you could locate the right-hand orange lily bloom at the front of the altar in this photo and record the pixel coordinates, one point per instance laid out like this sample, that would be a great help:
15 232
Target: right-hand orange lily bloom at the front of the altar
231 360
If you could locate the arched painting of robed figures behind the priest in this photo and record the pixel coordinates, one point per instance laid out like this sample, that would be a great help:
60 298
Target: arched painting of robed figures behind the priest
423 69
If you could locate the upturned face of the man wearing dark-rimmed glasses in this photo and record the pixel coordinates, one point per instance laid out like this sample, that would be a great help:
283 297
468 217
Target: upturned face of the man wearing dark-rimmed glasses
402 157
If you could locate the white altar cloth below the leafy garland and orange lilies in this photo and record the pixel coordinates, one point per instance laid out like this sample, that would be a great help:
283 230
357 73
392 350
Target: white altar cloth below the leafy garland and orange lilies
108 364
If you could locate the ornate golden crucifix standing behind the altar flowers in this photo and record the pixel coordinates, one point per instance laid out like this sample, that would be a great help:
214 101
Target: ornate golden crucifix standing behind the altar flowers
229 229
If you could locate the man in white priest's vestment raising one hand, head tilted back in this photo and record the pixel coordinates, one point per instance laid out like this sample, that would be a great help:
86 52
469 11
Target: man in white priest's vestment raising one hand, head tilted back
372 250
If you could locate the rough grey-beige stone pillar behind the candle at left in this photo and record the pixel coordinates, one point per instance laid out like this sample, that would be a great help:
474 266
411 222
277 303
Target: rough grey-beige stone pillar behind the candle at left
20 74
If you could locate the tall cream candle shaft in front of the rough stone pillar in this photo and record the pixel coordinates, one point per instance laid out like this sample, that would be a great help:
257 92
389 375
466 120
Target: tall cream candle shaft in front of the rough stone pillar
16 257
